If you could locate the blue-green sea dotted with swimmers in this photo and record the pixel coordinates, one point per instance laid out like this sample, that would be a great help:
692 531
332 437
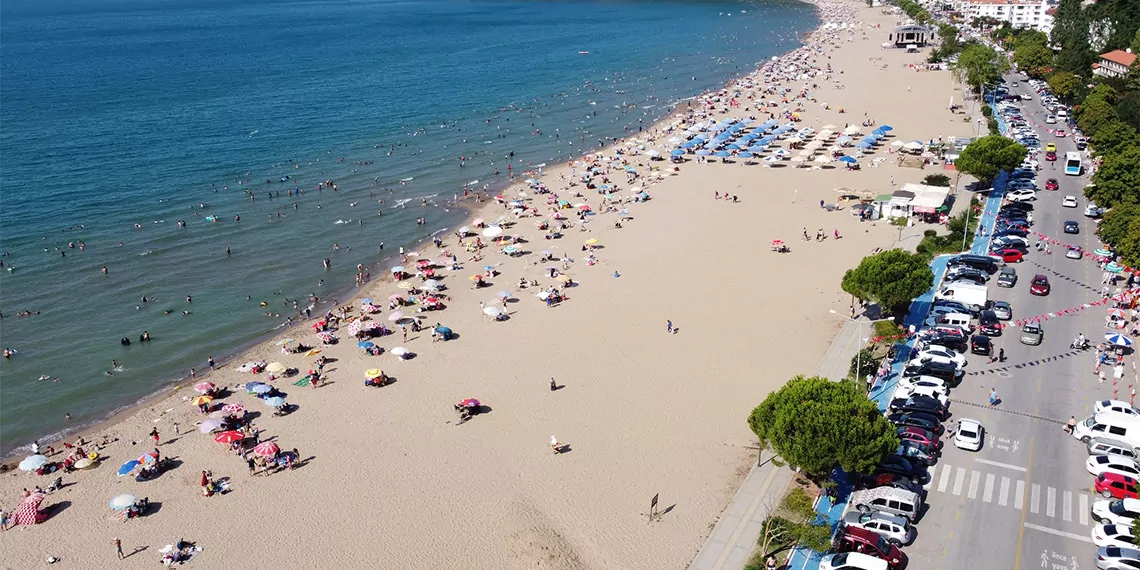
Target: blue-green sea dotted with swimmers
185 146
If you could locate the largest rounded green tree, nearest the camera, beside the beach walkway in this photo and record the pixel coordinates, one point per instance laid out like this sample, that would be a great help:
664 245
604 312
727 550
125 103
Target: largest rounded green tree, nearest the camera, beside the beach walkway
817 426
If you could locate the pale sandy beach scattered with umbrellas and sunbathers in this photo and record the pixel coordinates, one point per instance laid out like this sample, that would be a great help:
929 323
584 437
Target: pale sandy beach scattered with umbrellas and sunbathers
387 477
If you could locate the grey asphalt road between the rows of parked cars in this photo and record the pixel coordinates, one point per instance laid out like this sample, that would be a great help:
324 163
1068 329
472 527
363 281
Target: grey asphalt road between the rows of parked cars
1023 502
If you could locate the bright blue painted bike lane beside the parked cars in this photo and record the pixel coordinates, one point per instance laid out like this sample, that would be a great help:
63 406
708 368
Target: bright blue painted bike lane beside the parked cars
833 512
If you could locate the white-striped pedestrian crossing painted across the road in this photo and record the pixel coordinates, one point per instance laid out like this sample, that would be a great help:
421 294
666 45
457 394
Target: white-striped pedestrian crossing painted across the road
1011 492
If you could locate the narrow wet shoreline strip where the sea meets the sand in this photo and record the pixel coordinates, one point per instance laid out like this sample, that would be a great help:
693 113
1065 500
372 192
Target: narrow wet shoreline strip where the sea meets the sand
474 209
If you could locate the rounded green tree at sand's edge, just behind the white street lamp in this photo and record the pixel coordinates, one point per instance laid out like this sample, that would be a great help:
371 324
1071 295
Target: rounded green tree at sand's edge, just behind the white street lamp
892 279
